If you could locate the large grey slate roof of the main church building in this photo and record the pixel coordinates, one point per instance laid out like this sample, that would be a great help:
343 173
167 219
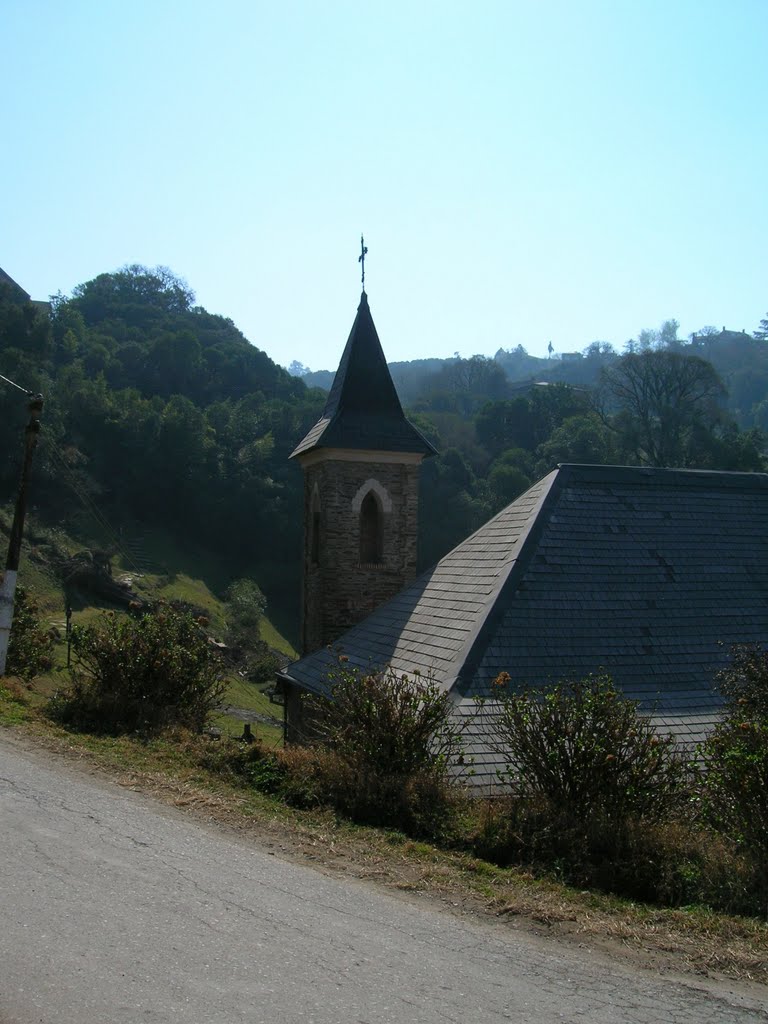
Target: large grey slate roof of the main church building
651 575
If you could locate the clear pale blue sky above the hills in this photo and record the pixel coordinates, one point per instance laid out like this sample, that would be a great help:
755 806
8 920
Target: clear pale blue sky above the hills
523 172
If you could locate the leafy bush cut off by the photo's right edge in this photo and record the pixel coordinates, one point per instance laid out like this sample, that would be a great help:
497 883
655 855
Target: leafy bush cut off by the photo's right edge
735 758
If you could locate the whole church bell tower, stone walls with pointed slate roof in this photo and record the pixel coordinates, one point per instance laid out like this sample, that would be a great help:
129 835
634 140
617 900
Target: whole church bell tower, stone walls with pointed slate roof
361 464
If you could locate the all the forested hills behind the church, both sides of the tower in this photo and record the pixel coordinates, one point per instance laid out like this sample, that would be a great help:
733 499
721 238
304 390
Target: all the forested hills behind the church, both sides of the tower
162 414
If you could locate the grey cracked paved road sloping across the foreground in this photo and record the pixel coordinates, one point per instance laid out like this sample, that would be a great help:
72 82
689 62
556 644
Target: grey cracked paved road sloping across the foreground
118 910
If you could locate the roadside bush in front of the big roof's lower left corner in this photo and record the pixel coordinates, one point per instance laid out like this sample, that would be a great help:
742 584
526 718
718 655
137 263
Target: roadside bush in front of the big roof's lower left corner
388 744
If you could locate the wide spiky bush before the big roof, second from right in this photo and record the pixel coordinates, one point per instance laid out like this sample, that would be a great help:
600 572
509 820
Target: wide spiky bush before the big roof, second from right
586 752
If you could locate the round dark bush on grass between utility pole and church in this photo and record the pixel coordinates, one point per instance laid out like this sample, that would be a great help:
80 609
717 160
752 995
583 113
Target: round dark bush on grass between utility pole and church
142 675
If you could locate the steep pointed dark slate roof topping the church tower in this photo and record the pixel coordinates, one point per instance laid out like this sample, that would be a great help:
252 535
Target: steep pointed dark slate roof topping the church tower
363 410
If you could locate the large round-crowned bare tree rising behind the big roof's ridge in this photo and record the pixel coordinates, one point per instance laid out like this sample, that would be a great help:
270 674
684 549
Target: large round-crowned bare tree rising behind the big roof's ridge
661 398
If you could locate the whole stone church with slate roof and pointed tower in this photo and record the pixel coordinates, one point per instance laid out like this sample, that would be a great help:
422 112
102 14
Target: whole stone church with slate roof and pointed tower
649 575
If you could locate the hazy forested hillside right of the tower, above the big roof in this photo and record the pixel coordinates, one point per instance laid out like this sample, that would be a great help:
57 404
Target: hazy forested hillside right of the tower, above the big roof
501 423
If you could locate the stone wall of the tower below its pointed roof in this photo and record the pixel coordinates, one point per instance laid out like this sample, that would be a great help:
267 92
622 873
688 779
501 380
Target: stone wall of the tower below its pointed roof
339 591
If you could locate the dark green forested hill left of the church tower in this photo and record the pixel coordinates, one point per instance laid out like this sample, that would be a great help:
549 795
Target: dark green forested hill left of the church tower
159 413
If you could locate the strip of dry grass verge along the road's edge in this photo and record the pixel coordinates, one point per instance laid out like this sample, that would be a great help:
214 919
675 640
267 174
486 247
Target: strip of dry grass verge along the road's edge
692 941
